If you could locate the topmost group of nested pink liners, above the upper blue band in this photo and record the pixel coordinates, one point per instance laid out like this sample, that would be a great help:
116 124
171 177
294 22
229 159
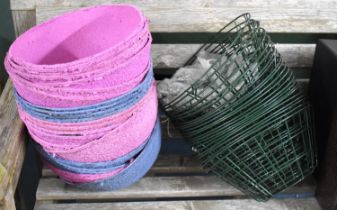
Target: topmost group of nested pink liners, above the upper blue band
95 57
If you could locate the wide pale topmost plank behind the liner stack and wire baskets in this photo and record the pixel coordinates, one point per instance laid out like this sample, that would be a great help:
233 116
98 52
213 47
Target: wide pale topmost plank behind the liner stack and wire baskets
212 18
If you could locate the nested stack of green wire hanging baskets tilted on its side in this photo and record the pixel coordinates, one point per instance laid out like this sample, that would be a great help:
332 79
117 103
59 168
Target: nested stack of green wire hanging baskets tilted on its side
245 116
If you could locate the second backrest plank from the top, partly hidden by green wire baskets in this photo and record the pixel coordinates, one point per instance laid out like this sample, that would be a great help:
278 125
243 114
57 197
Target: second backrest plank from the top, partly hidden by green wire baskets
175 55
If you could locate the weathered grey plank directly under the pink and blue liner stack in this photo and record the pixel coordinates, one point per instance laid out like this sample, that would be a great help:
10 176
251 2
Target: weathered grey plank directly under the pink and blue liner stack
153 188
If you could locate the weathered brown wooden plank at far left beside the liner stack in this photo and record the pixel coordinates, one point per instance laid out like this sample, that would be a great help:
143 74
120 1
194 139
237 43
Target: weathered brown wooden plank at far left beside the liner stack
12 142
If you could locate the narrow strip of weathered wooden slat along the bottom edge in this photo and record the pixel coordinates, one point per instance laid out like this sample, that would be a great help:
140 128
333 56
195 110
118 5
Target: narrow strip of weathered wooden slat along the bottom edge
246 204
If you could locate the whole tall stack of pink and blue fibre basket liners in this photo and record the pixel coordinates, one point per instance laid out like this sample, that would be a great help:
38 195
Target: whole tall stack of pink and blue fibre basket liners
85 90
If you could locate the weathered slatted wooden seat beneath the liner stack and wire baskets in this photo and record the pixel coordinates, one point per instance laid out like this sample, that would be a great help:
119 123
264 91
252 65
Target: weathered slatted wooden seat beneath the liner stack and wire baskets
174 182
